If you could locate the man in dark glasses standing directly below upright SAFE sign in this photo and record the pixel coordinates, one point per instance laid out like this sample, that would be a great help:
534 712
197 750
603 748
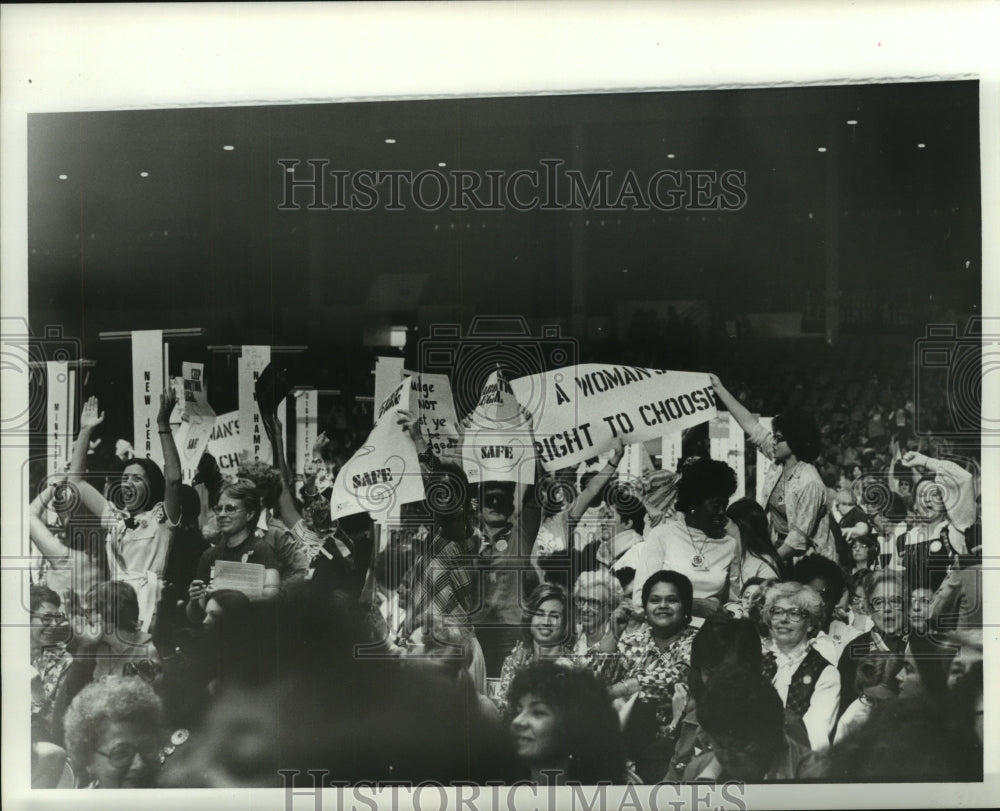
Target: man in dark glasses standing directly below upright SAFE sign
505 574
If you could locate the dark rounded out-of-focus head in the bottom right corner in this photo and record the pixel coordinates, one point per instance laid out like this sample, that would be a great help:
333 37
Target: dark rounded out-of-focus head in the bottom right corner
908 740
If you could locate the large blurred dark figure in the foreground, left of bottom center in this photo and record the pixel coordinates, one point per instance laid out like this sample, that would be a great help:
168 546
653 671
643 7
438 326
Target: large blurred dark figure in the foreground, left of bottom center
275 709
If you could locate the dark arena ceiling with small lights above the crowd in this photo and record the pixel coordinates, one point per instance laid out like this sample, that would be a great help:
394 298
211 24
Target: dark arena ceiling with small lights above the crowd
202 235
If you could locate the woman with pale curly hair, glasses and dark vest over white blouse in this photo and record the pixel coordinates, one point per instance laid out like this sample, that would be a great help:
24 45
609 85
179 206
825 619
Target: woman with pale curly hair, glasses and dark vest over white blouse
808 685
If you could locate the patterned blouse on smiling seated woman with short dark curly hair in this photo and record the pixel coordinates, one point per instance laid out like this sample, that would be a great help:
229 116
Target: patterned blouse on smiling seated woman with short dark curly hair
656 670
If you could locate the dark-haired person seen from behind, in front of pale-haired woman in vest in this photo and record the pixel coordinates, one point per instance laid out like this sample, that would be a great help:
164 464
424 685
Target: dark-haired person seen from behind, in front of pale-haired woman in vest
744 721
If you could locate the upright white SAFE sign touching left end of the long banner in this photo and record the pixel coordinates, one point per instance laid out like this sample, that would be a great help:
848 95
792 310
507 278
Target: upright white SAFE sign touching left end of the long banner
496 445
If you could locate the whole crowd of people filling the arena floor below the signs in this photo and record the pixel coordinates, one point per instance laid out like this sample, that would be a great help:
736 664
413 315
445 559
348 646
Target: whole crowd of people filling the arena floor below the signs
582 629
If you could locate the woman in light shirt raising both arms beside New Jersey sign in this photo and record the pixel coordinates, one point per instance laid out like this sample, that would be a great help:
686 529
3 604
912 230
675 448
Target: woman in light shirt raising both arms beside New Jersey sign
141 513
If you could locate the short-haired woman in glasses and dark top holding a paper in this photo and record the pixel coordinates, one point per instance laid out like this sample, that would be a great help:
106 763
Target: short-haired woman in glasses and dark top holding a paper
237 512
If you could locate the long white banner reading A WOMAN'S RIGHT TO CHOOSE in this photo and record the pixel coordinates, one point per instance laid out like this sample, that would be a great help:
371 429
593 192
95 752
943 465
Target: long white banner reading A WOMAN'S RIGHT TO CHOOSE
578 411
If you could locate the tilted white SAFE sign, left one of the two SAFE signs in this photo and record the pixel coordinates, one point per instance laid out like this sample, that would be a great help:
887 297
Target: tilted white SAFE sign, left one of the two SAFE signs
385 471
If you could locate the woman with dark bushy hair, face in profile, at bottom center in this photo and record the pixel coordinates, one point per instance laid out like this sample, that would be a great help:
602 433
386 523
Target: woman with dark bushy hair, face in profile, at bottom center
563 727
